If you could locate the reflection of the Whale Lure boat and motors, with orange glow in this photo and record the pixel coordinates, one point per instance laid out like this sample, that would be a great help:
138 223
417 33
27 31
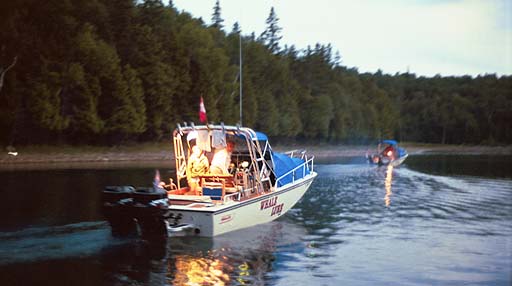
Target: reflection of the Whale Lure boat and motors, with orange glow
241 258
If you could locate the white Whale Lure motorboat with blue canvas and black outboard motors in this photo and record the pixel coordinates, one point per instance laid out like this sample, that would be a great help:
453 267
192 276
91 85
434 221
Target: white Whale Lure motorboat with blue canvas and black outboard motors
262 186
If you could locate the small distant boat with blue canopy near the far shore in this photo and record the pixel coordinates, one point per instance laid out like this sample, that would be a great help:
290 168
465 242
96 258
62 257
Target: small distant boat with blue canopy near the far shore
392 154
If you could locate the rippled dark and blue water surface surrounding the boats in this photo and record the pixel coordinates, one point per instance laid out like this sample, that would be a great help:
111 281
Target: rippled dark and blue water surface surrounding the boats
437 220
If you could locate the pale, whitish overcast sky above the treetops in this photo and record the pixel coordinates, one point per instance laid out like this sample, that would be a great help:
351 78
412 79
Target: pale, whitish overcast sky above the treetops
428 37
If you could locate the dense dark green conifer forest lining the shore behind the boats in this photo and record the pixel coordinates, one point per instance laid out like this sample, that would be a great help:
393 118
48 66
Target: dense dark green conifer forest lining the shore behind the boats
116 71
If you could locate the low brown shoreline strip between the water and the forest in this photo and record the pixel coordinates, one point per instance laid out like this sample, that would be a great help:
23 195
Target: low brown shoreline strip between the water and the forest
164 152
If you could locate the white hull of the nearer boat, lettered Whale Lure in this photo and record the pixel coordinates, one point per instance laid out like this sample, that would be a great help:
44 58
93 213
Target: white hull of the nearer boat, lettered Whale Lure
217 220
